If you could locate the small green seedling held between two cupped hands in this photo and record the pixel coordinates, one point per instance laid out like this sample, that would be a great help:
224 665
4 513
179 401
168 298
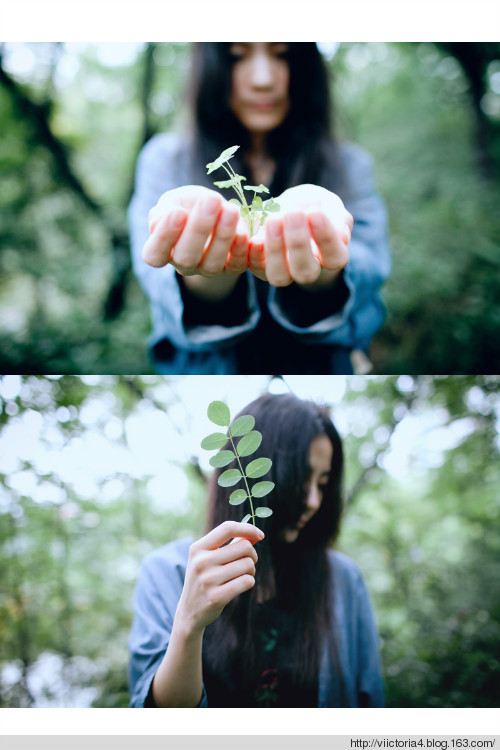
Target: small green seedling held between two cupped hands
254 214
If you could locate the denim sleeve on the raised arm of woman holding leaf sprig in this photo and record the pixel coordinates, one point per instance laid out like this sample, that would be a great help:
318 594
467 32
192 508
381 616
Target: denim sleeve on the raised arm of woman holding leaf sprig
156 597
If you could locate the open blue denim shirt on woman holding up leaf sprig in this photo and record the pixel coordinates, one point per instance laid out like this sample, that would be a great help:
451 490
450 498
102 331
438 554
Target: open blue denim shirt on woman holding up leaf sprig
158 591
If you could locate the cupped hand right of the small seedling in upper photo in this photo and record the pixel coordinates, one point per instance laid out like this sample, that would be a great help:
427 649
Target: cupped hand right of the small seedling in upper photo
306 243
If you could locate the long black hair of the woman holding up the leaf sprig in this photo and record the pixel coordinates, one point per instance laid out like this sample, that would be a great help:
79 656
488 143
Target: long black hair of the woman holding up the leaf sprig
295 576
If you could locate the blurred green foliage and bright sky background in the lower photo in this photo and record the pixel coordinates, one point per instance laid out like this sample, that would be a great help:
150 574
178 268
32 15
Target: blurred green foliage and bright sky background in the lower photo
421 520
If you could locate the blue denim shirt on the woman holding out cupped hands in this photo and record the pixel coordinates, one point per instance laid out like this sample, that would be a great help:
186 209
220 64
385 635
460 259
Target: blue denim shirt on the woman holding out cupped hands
164 164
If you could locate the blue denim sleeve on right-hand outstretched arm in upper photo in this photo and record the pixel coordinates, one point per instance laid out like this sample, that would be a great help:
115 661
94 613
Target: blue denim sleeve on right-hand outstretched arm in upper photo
369 265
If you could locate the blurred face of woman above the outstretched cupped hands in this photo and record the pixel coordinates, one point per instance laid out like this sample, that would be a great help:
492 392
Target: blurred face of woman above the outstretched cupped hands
260 81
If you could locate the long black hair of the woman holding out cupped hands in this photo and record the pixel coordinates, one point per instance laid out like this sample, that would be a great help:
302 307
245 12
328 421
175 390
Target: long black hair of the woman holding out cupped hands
302 146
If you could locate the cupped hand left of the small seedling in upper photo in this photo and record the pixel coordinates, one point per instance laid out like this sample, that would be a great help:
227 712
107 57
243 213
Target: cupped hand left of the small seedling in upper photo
198 232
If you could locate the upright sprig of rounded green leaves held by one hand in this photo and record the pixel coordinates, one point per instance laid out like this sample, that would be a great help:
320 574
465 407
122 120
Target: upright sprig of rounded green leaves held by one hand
249 440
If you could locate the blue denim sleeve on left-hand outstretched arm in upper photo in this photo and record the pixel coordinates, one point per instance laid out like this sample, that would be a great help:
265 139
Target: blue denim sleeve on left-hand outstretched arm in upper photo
162 167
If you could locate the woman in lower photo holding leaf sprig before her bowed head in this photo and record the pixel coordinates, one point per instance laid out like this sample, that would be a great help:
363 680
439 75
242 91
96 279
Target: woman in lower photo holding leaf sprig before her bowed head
288 624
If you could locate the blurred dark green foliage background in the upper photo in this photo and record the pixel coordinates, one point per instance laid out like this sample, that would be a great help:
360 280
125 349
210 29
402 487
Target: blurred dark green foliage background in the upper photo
74 117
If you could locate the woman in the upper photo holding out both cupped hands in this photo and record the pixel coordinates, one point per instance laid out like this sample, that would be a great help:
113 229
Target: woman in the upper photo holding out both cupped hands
303 293
